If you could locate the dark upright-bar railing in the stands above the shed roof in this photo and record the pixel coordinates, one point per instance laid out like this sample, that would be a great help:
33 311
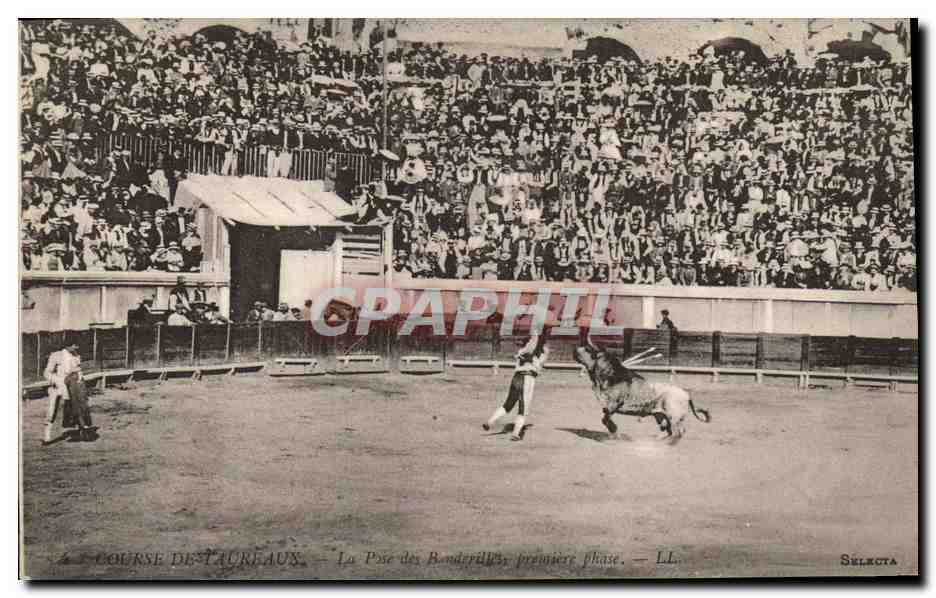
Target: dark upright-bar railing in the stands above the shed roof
207 158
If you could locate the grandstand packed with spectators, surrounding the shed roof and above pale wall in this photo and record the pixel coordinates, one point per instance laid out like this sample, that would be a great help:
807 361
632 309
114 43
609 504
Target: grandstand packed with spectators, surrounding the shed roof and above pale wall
725 168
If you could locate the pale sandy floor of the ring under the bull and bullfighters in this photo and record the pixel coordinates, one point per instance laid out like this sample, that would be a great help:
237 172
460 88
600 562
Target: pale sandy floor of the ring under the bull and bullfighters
391 476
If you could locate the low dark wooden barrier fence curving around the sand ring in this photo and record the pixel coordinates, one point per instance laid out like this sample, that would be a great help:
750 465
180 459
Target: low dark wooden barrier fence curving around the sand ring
106 349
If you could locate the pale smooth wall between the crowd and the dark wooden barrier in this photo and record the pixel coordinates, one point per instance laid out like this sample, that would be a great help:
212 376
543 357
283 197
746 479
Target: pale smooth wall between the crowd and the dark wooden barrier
75 300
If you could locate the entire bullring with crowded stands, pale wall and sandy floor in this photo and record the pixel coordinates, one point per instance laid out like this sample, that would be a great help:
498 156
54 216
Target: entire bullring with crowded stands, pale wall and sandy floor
204 202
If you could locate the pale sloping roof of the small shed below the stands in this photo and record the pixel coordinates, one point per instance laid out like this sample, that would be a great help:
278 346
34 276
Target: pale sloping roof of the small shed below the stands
264 201
